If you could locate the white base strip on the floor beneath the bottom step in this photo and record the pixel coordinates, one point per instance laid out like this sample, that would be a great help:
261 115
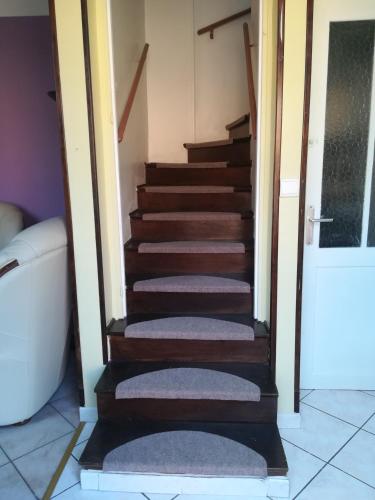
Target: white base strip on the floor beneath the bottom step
248 488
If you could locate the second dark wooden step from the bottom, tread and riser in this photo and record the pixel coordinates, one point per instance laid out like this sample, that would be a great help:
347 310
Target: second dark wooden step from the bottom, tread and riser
183 408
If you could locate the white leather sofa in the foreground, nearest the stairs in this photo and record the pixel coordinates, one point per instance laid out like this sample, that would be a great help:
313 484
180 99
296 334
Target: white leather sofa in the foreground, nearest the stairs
34 319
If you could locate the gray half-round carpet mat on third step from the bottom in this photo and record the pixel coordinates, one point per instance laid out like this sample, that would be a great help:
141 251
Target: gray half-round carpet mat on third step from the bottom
190 328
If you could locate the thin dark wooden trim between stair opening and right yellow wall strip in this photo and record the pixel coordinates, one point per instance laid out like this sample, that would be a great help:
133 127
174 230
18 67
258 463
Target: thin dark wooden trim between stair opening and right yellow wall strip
276 178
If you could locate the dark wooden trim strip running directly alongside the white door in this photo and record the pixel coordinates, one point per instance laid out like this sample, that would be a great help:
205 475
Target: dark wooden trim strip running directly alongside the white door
302 197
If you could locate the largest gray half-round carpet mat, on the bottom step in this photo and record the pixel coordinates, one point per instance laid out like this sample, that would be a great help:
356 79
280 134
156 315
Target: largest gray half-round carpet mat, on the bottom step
186 452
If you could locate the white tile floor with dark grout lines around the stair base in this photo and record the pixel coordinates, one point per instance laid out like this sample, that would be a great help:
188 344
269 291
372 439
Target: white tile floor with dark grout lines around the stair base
331 457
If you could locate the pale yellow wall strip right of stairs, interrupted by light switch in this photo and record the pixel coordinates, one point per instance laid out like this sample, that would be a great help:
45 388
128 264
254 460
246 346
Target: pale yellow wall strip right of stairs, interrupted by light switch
294 75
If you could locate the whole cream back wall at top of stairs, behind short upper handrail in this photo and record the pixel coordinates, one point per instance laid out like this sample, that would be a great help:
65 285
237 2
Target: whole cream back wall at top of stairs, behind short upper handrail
195 85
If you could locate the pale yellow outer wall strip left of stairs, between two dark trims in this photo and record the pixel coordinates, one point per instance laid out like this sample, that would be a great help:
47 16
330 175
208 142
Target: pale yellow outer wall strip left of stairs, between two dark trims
73 86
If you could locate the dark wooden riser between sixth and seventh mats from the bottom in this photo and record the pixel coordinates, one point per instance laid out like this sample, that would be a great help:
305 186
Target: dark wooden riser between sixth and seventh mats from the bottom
222 202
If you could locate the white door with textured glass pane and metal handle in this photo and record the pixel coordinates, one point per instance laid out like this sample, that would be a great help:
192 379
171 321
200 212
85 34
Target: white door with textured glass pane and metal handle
338 301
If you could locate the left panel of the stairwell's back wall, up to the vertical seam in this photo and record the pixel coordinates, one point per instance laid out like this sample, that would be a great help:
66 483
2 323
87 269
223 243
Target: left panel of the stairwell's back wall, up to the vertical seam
170 84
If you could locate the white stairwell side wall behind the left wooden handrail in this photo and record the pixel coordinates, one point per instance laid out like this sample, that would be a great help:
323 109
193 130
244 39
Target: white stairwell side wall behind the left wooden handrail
128 35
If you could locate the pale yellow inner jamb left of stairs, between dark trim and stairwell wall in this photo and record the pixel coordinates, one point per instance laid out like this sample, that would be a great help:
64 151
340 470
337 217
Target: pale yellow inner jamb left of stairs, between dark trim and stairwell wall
106 143
